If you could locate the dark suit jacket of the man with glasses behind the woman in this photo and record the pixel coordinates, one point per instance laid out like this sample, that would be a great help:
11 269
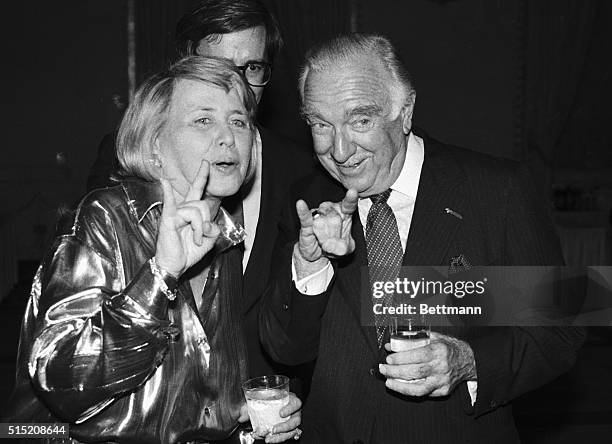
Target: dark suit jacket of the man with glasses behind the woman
283 163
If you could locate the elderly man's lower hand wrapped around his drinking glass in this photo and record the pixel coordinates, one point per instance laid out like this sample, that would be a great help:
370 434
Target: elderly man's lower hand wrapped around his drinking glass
433 370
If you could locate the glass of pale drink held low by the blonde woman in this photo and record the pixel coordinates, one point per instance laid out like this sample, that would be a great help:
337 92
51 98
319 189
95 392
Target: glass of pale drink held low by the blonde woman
265 396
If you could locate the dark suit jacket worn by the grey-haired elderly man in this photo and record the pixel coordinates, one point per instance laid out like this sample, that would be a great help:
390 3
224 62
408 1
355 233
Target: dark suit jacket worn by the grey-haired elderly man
503 224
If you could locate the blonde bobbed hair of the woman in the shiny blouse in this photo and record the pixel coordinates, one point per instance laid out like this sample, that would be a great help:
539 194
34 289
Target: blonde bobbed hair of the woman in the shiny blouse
148 110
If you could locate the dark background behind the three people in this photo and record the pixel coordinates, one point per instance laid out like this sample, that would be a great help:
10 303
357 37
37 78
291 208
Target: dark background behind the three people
529 80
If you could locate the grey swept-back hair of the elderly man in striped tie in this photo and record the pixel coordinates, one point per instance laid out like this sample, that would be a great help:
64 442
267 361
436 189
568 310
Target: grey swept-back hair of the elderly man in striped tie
346 48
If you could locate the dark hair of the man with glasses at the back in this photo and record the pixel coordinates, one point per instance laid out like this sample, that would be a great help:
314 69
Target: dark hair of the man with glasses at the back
212 18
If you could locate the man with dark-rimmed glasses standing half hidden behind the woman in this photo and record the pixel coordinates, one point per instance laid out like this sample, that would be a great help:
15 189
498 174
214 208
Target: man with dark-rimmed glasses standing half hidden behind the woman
244 32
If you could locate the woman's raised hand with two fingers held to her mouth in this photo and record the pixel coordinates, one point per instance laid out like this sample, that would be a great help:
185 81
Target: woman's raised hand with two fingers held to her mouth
186 231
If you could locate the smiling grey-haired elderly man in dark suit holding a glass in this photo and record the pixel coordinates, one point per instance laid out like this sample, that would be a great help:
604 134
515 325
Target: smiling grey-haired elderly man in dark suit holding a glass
397 197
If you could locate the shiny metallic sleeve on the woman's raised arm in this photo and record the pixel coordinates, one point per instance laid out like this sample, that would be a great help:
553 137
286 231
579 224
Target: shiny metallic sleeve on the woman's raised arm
95 336
